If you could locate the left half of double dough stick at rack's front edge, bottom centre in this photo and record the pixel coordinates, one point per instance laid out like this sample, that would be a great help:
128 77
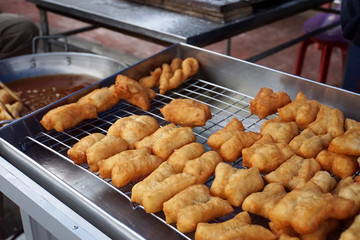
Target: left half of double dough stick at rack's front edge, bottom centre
192 194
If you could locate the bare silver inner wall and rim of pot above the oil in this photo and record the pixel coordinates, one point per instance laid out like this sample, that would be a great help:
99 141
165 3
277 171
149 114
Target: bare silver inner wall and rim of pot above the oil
58 63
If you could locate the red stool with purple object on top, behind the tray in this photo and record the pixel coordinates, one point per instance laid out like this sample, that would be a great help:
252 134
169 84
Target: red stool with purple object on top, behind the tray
326 40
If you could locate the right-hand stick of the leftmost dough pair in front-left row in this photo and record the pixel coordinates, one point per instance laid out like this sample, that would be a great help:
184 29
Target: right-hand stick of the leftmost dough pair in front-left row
103 149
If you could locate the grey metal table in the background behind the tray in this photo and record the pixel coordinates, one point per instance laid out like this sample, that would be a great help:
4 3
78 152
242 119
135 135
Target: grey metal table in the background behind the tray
166 27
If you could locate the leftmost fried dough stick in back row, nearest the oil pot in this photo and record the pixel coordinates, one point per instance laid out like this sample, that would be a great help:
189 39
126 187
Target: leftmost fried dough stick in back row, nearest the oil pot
67 116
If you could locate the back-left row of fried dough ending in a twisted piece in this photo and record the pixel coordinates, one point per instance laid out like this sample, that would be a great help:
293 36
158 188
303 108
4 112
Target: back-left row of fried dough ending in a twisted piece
138 93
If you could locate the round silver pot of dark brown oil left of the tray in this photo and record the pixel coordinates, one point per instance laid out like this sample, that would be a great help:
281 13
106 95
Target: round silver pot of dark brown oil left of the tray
40 79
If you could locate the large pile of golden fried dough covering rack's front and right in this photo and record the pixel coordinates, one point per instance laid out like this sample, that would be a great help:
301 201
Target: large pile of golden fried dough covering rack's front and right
298 171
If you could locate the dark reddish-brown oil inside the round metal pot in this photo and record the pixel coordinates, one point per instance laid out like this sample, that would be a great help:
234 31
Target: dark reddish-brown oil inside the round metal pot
39 91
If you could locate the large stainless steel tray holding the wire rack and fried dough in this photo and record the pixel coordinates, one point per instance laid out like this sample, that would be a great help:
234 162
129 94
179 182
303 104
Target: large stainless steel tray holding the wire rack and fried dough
226 84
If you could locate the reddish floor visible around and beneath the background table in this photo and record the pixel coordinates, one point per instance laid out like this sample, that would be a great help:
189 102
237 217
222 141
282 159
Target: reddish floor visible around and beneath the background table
243 46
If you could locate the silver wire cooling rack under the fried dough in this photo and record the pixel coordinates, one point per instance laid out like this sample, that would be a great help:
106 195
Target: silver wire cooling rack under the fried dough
225 104
